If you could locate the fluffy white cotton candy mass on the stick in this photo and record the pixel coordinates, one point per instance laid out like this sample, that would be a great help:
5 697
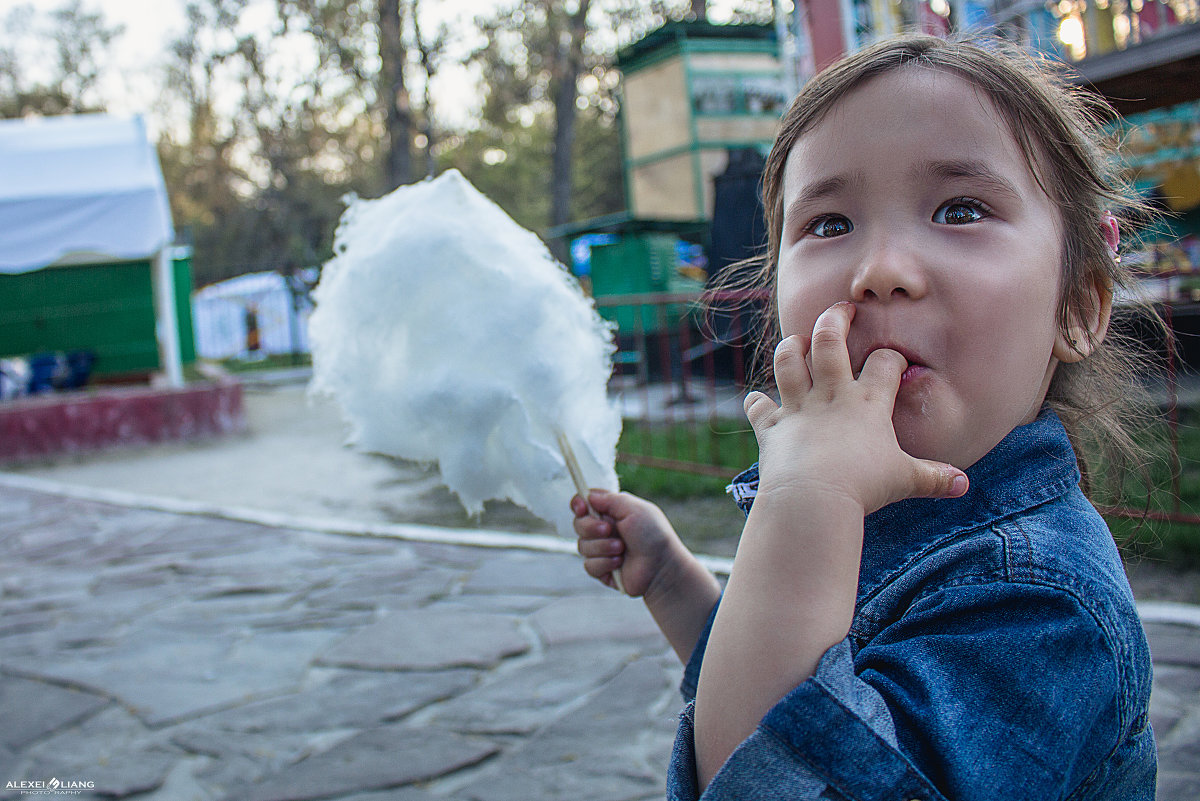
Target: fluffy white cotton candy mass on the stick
449 335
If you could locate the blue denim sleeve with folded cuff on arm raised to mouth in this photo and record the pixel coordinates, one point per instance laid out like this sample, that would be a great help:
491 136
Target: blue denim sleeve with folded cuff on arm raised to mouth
979 692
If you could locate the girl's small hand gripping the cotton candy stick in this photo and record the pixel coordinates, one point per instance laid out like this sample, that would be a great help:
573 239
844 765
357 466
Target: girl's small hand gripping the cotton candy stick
632 534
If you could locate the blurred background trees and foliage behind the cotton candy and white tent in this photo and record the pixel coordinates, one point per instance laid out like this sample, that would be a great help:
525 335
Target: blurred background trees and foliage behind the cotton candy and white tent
265 130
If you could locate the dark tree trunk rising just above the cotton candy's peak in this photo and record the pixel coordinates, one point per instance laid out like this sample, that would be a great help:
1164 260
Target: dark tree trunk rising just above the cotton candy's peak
398 111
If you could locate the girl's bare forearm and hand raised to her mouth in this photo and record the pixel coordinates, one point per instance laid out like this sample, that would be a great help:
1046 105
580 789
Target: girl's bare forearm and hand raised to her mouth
827 456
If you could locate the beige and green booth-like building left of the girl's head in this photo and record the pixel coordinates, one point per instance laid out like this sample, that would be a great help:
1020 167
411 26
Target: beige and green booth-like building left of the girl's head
692 93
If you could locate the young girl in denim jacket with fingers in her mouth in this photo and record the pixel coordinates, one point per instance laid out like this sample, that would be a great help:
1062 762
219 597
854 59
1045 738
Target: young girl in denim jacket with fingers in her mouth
923 603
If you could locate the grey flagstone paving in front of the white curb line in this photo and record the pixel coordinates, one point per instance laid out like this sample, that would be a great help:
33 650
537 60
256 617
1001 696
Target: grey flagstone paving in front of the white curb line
166 657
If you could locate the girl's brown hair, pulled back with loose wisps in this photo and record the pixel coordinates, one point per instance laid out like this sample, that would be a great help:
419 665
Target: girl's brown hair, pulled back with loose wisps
1059 129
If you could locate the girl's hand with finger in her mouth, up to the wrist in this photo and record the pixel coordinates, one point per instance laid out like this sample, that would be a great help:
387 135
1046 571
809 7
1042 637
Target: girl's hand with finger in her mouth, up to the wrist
832 435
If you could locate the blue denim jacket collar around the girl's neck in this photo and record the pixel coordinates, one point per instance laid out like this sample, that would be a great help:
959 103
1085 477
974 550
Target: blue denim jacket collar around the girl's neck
1034 465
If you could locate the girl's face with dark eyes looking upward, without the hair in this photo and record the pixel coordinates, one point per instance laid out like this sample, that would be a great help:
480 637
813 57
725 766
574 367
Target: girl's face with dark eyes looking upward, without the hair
913 201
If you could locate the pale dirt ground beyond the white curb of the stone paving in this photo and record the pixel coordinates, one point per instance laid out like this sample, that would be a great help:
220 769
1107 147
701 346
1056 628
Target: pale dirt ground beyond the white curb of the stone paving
293 460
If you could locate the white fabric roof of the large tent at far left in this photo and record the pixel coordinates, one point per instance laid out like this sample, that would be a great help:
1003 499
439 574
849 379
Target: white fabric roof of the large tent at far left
80 190
